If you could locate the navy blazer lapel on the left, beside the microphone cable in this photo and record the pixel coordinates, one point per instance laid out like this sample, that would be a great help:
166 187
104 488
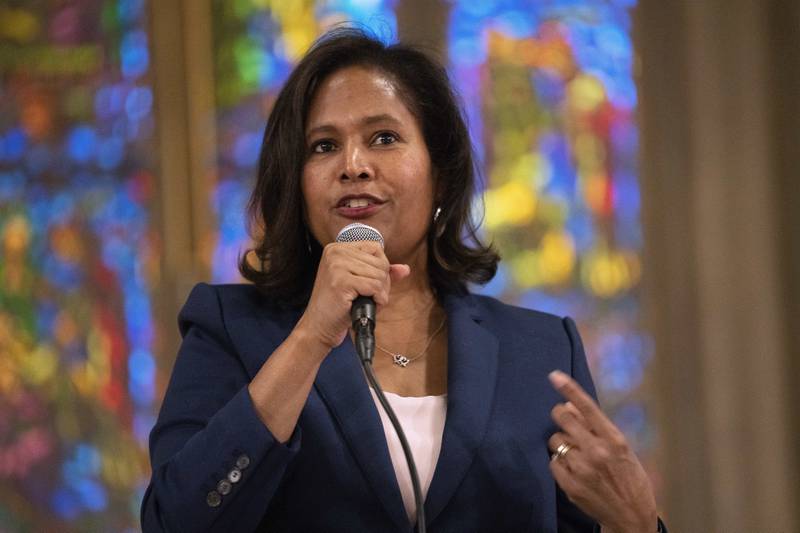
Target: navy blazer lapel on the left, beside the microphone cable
341 383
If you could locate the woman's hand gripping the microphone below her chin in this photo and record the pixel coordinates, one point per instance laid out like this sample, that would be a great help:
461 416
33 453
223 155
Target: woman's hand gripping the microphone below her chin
346 270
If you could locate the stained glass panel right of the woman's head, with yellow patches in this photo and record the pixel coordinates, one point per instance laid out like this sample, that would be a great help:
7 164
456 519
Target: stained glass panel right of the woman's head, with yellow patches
549 92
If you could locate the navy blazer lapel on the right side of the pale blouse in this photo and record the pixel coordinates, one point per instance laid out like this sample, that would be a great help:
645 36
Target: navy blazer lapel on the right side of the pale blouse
471 377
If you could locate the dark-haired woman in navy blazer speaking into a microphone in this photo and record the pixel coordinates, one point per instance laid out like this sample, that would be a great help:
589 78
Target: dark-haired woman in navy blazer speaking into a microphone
268 423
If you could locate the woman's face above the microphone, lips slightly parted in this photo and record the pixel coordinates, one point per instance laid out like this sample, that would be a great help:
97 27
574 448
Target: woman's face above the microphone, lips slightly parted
367 162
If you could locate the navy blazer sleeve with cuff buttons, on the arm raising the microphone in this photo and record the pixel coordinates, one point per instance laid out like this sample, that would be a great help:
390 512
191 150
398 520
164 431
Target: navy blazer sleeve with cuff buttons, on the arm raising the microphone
215 465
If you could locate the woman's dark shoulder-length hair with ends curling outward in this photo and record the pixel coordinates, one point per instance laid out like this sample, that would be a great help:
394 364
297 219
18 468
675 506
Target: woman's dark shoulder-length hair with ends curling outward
287 257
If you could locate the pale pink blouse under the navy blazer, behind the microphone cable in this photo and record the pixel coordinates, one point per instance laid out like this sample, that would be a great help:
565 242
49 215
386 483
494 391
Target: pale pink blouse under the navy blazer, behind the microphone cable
422 419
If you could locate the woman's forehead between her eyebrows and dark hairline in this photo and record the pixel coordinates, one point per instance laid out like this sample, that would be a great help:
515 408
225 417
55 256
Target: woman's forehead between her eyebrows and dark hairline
350 94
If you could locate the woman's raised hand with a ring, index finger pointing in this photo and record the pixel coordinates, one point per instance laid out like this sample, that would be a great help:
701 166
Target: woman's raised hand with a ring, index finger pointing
598 471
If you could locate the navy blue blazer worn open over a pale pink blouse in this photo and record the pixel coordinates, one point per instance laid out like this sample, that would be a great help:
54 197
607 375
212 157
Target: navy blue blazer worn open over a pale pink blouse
216 466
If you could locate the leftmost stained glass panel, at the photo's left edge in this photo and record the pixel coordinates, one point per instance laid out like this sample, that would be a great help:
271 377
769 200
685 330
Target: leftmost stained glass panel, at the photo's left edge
77 255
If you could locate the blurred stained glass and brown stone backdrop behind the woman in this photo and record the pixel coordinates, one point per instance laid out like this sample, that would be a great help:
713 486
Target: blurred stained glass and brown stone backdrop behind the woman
640 174
